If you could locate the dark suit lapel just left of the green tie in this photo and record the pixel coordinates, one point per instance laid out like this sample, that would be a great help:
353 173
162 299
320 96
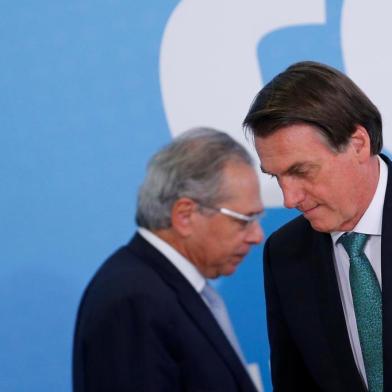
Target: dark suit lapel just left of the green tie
331 313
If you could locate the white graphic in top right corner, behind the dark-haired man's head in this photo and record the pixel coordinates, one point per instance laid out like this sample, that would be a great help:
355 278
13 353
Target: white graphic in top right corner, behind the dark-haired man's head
366 32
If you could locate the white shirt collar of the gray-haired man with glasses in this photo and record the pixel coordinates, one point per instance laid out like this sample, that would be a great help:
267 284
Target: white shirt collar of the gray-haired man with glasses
186 268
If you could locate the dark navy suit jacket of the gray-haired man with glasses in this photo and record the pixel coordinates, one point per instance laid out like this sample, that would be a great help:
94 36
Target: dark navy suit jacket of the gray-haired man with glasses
142 327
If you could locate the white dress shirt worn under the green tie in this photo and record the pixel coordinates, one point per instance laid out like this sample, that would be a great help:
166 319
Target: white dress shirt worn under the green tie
370 223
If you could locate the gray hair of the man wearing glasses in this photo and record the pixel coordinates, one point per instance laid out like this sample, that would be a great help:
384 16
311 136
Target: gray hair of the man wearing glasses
191 166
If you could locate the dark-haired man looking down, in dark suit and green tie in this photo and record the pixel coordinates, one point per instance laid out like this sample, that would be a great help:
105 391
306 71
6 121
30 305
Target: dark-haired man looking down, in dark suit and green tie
329 324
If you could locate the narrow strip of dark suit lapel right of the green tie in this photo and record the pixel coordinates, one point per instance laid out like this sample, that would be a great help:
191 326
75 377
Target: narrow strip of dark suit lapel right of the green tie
386 273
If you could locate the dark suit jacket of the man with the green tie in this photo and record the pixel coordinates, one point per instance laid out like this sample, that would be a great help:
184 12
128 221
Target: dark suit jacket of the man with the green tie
310 346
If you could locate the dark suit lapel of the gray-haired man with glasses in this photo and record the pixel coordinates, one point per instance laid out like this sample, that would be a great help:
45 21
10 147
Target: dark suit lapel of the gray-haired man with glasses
192 304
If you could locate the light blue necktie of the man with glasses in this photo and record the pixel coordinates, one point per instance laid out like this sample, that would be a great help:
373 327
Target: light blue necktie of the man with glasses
218 309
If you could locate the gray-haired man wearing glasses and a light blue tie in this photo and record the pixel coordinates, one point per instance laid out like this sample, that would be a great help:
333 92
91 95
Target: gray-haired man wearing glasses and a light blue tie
144 322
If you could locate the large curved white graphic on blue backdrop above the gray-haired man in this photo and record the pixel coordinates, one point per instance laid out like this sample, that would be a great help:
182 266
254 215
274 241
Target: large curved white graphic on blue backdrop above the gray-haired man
209 69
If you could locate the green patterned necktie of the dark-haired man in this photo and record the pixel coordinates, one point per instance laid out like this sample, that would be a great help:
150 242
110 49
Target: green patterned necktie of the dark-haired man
367 301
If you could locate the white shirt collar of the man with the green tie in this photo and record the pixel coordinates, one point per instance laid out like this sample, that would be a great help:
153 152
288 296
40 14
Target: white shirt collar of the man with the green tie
371 221
